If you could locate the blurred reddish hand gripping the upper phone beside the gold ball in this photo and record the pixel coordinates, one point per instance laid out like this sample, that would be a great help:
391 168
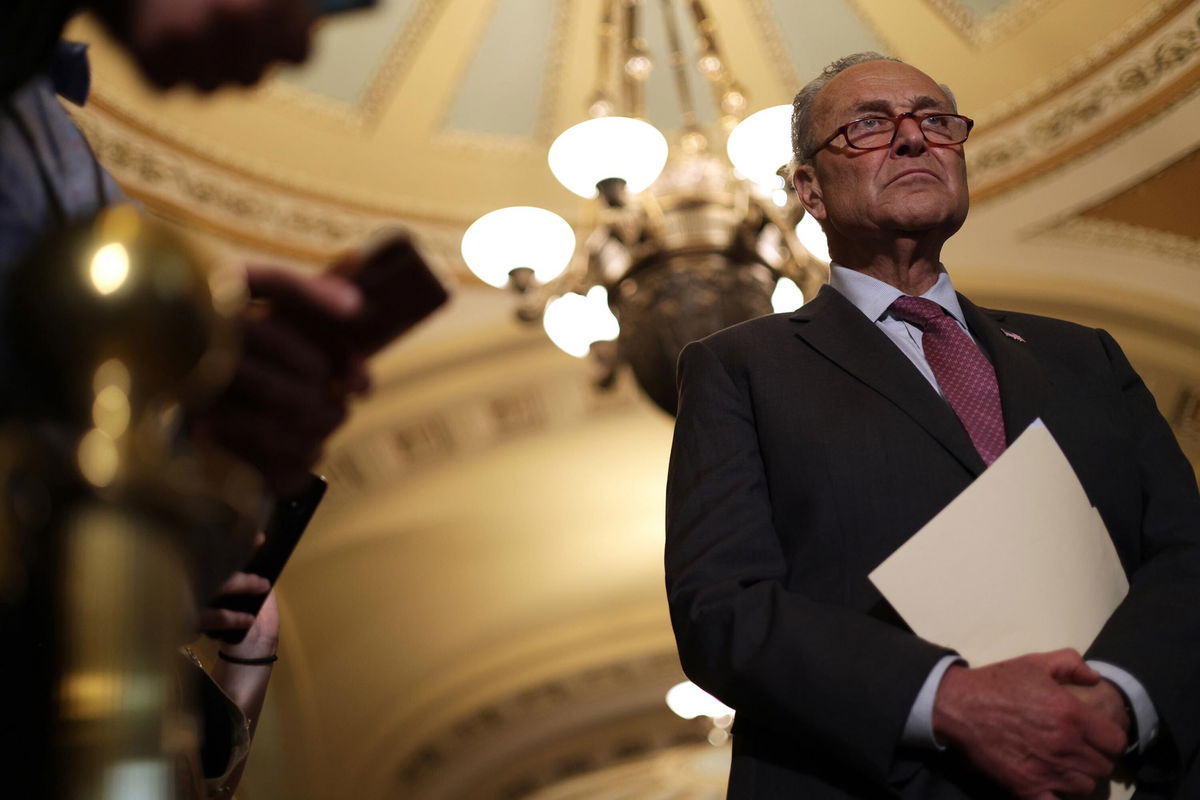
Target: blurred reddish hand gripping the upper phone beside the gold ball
293 383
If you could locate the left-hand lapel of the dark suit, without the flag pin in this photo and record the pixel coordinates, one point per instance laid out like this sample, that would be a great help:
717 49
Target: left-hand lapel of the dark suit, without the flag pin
835 328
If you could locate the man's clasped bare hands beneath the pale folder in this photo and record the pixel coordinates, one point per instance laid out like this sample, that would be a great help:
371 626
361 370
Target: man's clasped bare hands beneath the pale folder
1021 725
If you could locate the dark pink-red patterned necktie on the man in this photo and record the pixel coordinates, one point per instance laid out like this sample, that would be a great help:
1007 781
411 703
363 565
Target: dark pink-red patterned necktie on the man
963 371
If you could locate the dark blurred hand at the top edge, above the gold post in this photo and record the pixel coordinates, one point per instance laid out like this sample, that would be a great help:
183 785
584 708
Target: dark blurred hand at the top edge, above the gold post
211 43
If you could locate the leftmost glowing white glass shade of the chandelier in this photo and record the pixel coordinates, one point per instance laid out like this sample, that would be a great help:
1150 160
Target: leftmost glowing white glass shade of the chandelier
518 237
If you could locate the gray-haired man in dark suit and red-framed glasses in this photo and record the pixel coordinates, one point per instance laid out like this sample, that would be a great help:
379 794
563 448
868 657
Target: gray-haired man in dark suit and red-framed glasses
809 447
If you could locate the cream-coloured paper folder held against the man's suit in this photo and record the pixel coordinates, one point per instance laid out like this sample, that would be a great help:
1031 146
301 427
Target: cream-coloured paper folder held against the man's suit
1019 563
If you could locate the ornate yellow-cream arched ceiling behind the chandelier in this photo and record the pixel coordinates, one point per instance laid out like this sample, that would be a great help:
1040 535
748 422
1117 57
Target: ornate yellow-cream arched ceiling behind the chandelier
484 584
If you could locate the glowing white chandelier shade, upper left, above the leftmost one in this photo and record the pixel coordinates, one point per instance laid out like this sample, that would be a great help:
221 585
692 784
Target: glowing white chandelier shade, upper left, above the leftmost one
608 147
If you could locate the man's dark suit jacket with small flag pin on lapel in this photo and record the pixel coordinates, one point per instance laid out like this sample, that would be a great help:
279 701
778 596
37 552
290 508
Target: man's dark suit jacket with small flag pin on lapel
808 449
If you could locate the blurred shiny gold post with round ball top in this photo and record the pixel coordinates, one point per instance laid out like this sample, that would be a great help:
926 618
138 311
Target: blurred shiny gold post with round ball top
113 525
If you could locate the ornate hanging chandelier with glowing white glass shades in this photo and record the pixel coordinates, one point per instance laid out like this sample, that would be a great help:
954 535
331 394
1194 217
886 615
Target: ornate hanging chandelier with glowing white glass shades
687 243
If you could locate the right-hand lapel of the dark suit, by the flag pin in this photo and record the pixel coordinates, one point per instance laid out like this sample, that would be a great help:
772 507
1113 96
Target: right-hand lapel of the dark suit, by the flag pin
1023 382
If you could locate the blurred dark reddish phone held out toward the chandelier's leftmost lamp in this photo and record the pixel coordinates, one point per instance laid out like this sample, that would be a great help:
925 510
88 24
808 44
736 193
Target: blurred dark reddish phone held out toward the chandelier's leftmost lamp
399 291
